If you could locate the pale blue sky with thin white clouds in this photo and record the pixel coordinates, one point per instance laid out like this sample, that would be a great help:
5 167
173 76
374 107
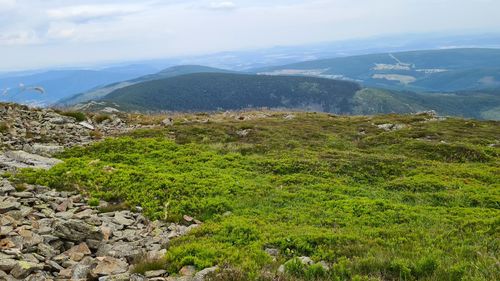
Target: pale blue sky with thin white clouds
45 33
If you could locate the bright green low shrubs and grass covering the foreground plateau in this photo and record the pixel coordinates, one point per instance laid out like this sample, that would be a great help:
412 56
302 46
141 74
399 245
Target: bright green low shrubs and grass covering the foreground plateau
419 203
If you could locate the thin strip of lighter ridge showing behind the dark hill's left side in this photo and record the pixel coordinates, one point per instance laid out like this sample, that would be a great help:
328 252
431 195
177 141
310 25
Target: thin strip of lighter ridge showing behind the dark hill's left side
100 92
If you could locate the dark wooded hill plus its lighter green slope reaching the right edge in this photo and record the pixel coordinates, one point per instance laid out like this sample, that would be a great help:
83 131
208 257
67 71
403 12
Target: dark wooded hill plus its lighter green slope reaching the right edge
225 91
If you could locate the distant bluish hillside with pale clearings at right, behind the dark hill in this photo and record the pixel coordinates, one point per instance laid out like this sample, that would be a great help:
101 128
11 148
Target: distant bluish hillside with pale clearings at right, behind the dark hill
433 70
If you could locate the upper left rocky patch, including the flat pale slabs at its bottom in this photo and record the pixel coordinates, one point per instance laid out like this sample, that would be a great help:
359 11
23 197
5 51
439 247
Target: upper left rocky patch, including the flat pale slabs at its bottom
28 136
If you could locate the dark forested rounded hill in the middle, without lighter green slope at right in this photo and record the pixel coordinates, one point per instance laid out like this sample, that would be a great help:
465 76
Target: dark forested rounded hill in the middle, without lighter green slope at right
214 91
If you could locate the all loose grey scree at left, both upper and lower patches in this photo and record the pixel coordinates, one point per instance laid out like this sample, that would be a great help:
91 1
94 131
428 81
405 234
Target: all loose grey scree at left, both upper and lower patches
50 235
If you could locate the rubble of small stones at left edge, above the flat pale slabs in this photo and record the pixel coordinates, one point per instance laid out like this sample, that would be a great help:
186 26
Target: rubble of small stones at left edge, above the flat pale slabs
44 131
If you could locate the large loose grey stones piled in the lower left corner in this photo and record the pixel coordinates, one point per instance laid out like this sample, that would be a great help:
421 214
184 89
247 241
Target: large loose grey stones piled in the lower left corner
50 235
